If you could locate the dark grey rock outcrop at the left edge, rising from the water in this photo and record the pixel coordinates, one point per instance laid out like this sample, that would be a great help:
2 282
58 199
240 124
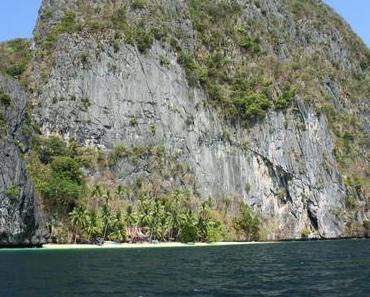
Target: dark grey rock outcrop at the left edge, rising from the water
19 220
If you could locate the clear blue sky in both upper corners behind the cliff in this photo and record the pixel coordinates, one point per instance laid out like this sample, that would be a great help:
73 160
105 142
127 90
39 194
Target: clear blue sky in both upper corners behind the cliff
18 17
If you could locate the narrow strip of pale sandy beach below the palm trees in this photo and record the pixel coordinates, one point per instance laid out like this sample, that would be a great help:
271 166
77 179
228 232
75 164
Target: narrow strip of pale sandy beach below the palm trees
111 245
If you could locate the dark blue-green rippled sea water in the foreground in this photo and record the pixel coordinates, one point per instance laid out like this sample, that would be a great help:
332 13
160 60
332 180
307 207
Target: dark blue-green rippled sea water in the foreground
331 268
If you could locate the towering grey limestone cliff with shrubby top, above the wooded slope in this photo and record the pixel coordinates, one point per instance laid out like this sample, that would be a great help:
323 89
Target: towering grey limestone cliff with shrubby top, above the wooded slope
171 73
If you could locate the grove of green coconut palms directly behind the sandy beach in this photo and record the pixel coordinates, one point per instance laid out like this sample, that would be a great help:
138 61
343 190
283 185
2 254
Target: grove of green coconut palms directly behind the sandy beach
168 217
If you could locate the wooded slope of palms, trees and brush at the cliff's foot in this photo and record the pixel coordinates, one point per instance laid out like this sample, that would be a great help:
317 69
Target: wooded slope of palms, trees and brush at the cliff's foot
163 210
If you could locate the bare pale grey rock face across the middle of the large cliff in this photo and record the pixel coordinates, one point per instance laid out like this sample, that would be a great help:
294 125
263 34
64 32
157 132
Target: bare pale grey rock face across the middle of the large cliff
283 165
